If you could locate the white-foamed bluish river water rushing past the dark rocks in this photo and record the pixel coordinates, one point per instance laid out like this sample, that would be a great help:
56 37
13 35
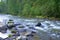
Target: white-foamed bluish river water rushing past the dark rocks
49 29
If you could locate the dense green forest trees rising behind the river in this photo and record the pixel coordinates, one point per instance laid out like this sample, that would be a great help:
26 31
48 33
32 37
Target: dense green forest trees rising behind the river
31 8
